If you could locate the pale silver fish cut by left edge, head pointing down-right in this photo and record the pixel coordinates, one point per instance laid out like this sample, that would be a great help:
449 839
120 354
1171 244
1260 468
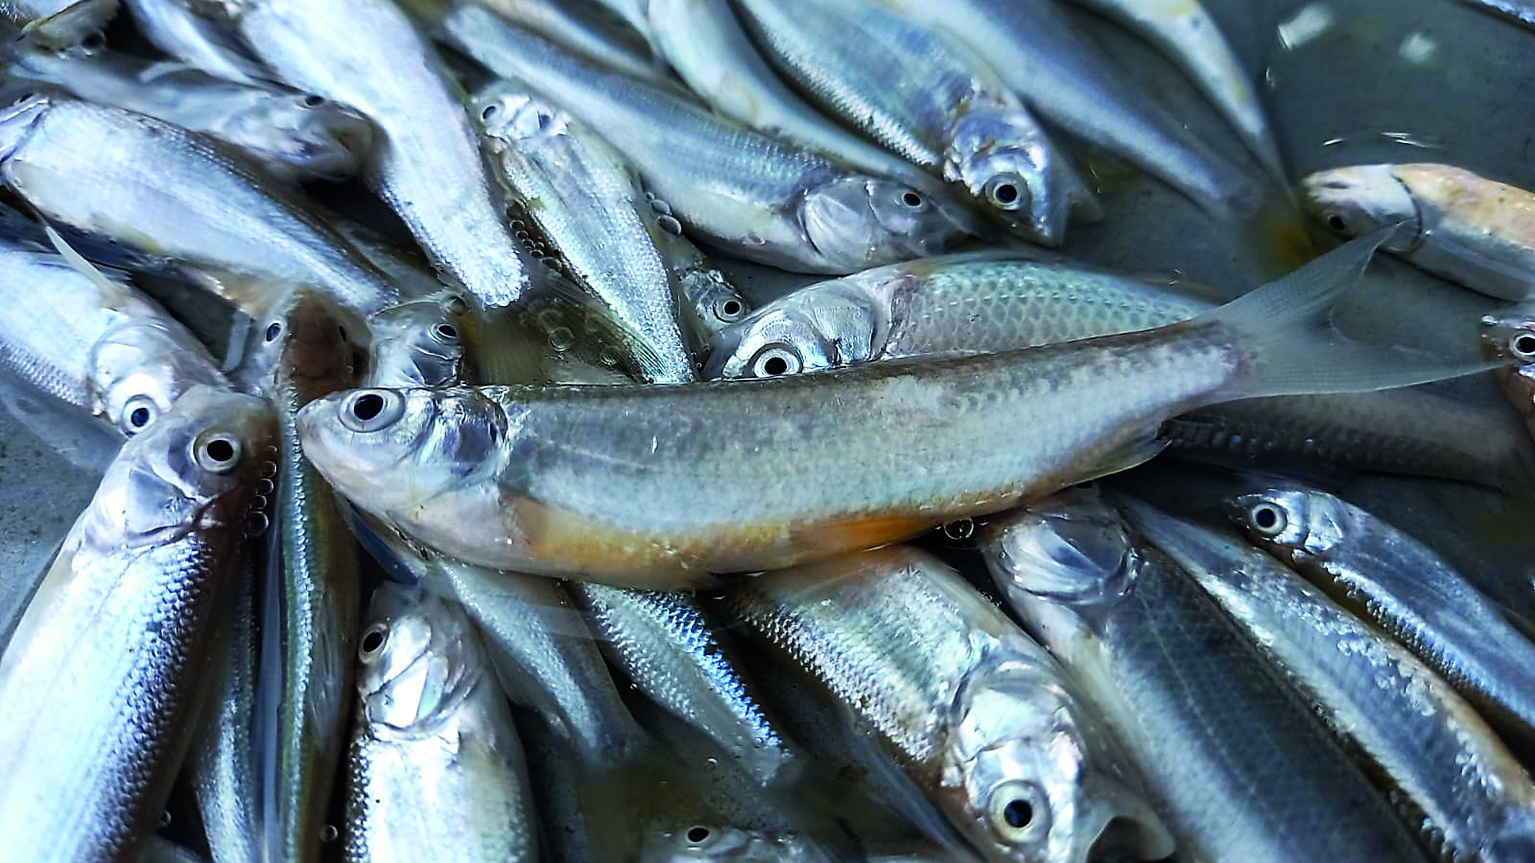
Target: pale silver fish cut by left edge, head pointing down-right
94 342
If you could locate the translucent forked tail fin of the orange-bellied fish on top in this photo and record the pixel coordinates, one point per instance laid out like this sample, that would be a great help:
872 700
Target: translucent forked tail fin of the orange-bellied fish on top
1292 349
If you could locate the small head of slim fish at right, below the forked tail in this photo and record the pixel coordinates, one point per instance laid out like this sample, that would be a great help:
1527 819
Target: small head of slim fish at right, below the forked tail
1296 523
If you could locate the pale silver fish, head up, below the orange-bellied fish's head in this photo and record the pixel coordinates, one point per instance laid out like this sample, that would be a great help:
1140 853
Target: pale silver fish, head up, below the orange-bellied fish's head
435 764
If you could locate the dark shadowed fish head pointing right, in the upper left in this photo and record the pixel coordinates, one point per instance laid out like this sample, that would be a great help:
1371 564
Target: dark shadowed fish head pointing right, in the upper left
308 134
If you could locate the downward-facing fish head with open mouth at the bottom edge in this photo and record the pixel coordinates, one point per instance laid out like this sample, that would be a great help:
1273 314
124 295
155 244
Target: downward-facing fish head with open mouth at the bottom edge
1025 779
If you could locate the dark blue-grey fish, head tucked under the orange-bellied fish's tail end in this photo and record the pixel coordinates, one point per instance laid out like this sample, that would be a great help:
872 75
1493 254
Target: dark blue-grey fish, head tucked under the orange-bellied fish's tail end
1186 693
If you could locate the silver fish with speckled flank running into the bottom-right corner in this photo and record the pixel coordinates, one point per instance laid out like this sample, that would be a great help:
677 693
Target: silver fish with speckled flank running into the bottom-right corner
1459 784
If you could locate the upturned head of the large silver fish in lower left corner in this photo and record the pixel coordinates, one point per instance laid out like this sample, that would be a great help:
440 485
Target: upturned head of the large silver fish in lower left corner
199 468
